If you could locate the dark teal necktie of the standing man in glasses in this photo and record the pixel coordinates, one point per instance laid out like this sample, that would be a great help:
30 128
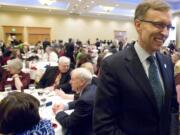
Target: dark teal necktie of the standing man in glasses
155 81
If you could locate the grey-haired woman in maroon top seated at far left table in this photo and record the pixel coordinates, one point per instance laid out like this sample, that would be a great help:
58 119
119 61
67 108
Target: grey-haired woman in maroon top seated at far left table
14 77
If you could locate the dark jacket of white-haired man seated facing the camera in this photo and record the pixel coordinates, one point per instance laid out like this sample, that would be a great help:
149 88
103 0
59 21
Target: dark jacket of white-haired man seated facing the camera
49 78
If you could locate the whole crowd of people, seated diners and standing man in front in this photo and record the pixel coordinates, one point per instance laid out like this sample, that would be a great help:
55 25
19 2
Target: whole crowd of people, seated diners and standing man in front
116 88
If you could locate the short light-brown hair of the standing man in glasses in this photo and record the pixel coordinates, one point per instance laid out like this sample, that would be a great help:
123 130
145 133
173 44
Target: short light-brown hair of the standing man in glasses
142 8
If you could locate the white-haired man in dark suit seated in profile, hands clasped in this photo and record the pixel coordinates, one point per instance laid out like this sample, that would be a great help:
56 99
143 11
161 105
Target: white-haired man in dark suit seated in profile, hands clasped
78 122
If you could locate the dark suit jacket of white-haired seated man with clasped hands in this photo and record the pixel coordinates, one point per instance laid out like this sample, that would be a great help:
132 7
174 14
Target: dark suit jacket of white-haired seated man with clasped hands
80 121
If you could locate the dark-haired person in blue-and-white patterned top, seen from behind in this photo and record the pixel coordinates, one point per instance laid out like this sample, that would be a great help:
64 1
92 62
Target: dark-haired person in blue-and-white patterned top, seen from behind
20 116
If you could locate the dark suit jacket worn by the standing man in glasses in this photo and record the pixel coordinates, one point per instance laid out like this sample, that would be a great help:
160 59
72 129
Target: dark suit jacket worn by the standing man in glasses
125 102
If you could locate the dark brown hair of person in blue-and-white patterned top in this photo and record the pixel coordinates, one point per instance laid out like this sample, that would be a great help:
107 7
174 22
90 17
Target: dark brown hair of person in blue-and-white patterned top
18 112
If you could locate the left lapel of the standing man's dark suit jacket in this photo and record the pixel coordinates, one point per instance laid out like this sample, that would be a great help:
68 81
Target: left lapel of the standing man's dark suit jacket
135 68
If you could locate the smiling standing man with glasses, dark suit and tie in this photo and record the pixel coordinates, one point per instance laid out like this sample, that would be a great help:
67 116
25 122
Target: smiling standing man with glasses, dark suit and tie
136 92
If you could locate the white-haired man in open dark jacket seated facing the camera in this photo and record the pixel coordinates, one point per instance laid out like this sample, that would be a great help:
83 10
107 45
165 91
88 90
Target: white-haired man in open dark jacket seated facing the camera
57 77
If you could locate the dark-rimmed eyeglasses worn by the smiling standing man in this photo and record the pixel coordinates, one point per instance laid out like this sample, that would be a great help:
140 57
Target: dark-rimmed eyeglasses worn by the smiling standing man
160 25
